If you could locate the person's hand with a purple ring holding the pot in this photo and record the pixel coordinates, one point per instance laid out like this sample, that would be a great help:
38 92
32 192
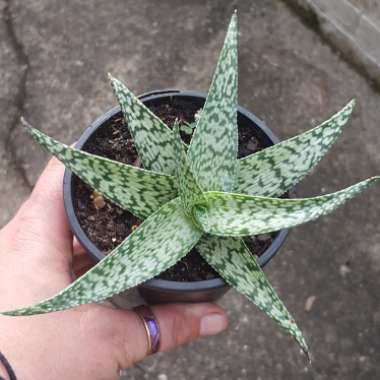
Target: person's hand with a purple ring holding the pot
88 342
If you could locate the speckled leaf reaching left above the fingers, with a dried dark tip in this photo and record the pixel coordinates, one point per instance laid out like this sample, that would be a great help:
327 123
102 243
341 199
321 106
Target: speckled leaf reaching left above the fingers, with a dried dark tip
137 190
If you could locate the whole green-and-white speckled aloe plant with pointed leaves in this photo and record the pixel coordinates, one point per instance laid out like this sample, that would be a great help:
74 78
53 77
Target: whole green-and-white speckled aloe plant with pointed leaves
188 191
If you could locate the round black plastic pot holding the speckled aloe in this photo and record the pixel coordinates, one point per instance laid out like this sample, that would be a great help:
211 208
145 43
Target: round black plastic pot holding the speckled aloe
156 290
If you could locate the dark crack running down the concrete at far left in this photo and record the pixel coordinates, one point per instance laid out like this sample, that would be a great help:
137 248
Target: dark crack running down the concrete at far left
20 99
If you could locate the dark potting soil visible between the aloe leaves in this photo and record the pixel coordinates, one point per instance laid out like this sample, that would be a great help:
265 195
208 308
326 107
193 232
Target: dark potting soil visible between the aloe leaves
107 225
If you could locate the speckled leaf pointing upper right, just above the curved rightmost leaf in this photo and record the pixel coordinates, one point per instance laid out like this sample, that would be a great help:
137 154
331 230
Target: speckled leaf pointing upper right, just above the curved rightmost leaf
275 170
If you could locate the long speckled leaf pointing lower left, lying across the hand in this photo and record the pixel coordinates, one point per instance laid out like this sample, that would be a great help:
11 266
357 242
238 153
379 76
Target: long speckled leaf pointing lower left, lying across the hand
160 241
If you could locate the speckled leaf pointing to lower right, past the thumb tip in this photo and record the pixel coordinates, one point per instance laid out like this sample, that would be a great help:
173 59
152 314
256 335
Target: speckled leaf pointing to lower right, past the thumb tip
235 263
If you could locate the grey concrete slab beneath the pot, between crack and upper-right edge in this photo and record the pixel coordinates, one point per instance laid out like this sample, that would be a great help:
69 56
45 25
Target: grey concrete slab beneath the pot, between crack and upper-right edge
290 78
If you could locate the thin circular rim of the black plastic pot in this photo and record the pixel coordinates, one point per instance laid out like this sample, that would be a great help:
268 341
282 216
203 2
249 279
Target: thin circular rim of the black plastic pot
215 283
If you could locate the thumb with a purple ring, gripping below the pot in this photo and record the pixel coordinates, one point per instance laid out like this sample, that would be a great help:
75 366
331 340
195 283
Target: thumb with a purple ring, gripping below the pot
178 324
